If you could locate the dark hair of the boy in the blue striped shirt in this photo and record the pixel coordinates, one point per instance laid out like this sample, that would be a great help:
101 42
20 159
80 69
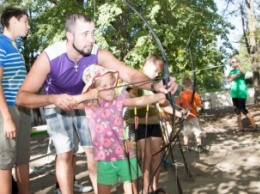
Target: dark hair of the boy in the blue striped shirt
10 12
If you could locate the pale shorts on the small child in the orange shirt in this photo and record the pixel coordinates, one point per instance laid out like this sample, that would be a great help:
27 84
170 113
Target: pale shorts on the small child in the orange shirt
191 126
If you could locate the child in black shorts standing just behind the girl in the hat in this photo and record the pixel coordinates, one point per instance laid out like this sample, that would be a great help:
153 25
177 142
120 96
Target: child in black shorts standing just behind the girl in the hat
148 133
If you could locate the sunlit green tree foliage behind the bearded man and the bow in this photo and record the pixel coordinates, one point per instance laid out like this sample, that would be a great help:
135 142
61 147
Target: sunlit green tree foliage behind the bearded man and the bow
188 31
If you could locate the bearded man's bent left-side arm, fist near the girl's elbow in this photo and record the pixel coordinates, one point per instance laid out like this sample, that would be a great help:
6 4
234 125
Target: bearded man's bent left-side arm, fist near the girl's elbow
27 95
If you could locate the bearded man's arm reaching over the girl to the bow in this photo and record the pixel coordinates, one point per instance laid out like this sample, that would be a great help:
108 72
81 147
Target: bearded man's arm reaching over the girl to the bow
130 75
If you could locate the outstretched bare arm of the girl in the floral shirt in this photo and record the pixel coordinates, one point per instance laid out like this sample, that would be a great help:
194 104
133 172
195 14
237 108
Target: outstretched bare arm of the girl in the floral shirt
143 100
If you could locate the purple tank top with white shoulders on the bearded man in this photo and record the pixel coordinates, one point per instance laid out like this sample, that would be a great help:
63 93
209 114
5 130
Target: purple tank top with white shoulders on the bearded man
63 77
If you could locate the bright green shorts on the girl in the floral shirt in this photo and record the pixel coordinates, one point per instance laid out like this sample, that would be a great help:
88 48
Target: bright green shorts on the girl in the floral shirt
108 172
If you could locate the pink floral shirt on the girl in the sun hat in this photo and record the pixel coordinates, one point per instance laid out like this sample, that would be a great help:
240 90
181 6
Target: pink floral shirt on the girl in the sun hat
106 126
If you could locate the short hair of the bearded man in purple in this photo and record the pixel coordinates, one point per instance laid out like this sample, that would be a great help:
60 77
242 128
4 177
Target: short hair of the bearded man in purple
72 19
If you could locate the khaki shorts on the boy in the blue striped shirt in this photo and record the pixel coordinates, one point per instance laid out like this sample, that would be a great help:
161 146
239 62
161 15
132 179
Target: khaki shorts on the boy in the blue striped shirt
16 150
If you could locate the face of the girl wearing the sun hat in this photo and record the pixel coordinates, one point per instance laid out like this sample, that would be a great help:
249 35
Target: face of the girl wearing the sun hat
106 85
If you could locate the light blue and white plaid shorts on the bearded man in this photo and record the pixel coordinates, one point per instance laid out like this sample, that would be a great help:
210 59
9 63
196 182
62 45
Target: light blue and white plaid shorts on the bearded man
61 126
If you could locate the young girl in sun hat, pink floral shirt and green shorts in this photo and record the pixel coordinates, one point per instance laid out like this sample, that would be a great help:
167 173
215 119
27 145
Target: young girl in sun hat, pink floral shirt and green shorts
104 113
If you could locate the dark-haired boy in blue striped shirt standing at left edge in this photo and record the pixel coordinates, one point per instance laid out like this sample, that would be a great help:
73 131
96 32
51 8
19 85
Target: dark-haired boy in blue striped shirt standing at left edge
15 122
